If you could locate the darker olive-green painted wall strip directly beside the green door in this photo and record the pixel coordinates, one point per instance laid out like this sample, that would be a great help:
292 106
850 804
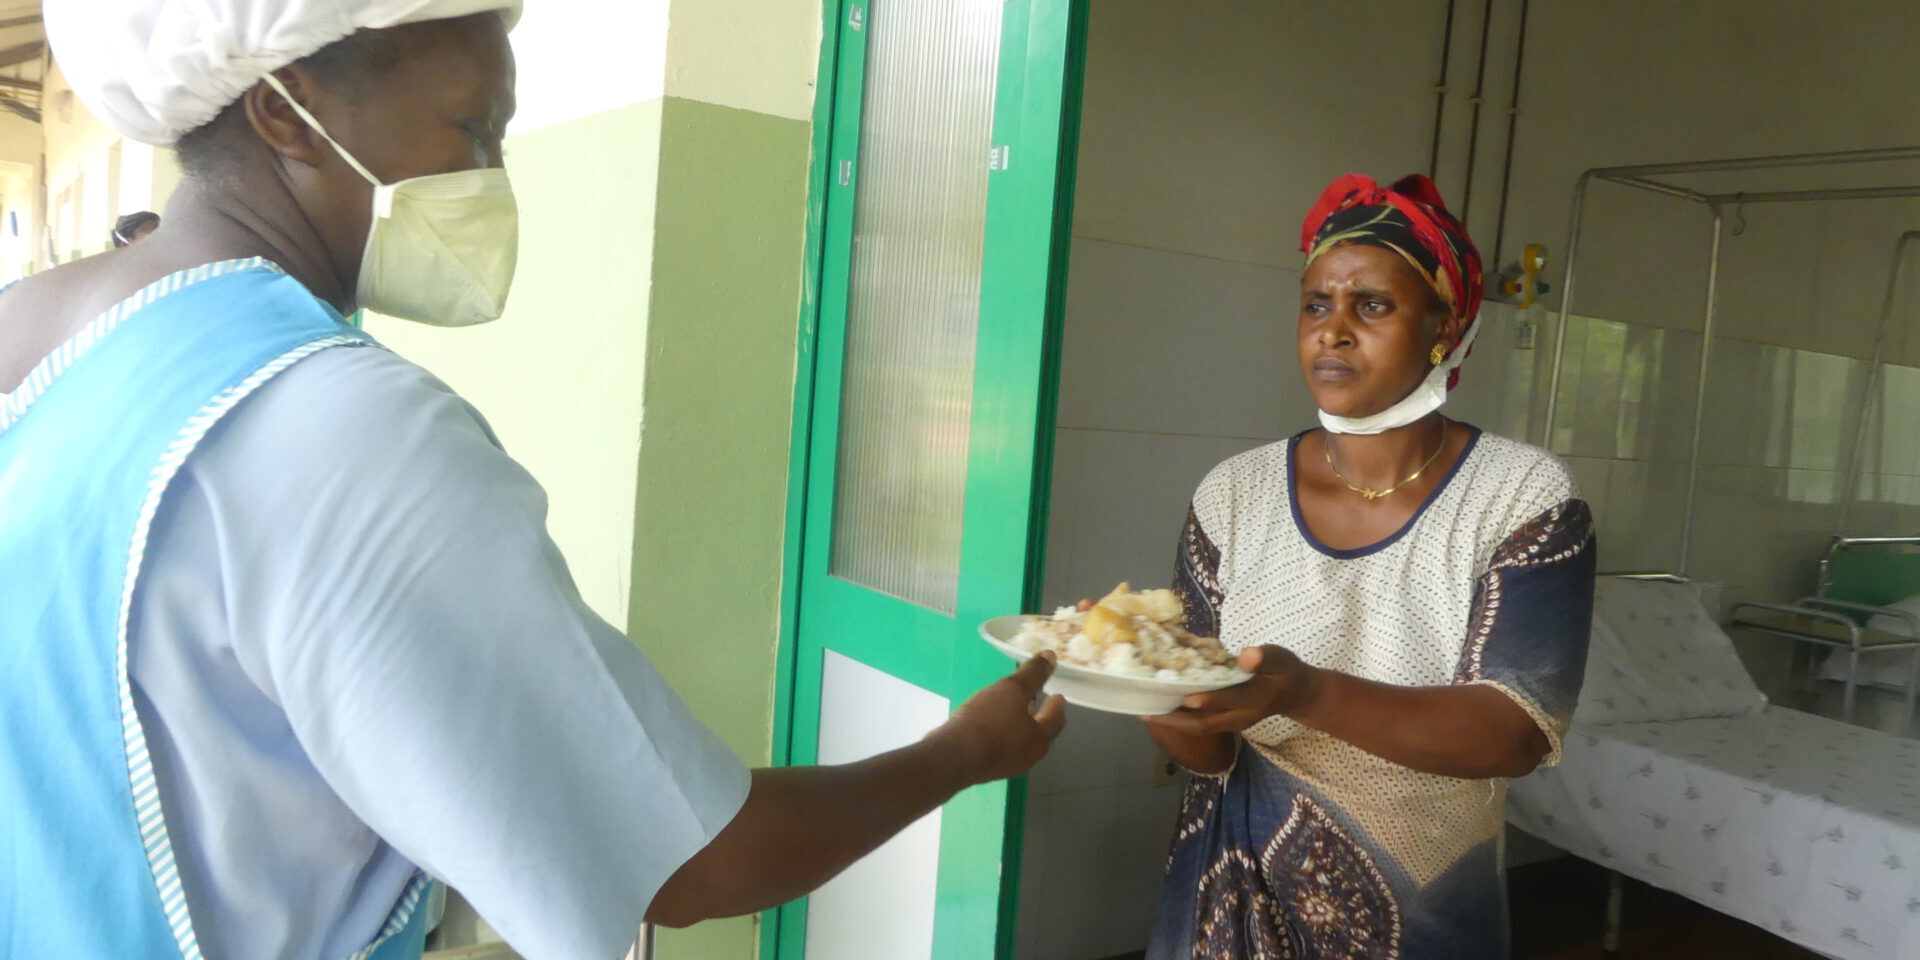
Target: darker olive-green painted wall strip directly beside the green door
713 458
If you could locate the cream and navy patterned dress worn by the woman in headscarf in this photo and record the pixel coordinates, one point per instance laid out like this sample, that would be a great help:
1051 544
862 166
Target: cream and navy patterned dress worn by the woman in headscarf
1308 848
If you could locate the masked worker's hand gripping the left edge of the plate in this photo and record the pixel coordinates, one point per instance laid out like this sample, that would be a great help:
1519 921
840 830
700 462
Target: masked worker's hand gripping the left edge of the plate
999 732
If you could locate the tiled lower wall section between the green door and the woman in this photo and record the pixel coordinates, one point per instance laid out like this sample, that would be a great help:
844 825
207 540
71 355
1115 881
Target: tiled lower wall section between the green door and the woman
1172 366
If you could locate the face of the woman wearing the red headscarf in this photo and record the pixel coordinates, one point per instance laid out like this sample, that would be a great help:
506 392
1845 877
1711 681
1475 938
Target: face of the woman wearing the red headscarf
1368 327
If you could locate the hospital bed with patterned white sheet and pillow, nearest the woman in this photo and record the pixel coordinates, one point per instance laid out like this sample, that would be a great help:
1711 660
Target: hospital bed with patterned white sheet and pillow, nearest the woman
1681 775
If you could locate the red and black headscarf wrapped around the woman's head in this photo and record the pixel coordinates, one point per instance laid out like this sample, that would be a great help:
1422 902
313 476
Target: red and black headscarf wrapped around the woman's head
1412 222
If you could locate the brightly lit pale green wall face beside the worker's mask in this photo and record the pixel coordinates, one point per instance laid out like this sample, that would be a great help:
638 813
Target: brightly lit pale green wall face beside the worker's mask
560 377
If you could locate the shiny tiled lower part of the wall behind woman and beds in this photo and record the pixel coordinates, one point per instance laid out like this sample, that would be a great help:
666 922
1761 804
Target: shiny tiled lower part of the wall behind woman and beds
1178 362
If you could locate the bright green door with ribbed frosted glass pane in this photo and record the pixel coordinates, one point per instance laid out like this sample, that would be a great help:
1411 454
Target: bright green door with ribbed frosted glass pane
942 222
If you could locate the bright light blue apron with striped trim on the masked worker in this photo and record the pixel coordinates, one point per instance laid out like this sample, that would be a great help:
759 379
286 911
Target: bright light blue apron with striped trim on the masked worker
87 450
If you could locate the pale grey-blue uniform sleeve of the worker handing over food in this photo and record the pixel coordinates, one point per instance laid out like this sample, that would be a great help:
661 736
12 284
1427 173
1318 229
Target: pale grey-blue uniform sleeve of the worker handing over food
408 612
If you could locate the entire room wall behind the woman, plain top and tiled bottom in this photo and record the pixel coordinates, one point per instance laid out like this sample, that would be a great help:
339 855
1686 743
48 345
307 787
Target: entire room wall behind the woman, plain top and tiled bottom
1211 132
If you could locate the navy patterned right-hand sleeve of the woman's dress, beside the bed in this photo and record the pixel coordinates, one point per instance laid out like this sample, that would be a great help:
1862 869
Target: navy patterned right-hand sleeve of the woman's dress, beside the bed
1533 613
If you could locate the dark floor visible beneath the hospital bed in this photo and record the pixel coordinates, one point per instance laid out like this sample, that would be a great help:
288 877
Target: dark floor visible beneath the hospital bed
1558 915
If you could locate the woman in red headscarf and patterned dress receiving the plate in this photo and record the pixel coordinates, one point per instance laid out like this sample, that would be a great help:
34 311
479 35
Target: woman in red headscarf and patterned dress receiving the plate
1414 598
